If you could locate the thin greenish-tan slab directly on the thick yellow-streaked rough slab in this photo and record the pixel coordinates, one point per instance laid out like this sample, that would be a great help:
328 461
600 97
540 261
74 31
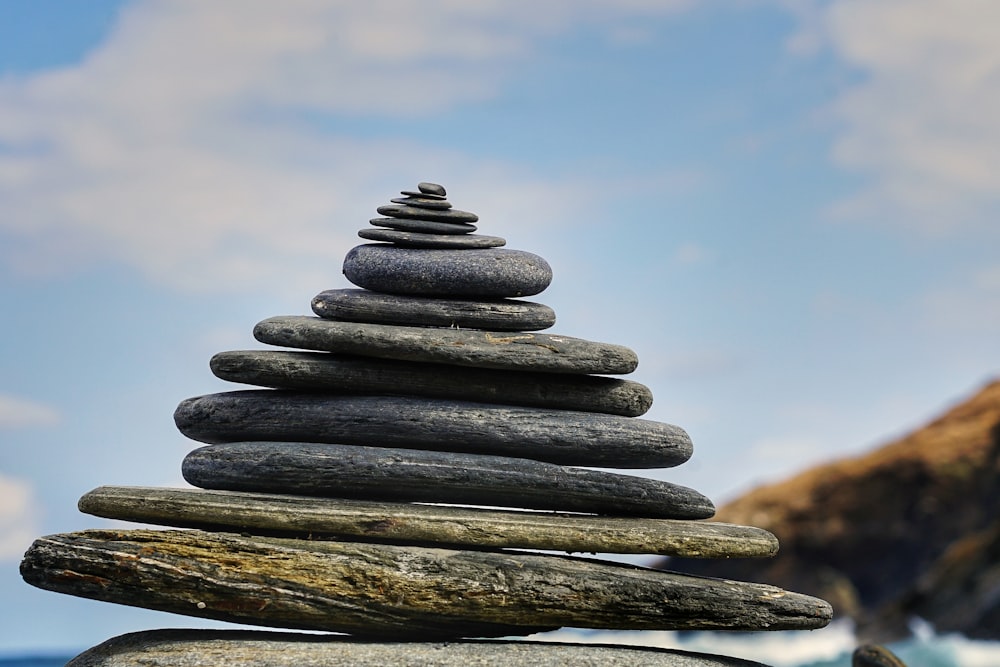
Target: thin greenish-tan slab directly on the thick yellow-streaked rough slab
405 523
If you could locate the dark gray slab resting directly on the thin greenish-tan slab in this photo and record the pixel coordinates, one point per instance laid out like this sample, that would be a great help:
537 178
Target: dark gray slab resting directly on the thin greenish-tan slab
411 475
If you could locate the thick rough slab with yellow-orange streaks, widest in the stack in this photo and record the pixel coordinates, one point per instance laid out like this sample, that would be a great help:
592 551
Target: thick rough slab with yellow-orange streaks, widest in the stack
387 590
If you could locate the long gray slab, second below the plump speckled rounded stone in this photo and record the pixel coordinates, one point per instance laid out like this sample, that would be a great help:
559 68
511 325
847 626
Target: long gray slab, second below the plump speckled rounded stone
546 353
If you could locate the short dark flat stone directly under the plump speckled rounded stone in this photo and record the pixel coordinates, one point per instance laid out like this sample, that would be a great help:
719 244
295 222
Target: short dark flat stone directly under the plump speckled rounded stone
355 305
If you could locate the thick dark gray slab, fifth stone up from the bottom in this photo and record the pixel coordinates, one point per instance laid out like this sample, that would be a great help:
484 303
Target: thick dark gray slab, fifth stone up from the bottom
557 436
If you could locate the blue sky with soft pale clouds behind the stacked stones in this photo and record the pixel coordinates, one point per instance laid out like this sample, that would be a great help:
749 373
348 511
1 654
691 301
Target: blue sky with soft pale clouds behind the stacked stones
787 208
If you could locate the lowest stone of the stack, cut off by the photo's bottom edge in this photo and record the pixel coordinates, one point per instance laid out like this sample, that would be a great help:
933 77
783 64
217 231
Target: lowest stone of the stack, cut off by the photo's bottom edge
248 648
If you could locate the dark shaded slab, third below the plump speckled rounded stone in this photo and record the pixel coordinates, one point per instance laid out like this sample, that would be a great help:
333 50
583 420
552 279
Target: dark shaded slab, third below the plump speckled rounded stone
368 375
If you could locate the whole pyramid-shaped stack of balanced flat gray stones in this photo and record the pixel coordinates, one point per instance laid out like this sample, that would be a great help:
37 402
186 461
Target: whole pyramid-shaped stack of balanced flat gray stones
359 489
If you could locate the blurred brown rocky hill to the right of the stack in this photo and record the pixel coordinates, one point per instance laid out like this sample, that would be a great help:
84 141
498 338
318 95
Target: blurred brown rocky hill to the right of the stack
910 529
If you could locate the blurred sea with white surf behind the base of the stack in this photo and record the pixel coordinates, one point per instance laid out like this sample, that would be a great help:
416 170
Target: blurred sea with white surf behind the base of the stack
829 647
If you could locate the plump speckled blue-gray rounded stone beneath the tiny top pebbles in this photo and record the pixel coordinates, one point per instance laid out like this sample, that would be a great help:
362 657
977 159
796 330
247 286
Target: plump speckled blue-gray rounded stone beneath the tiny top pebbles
495 272
